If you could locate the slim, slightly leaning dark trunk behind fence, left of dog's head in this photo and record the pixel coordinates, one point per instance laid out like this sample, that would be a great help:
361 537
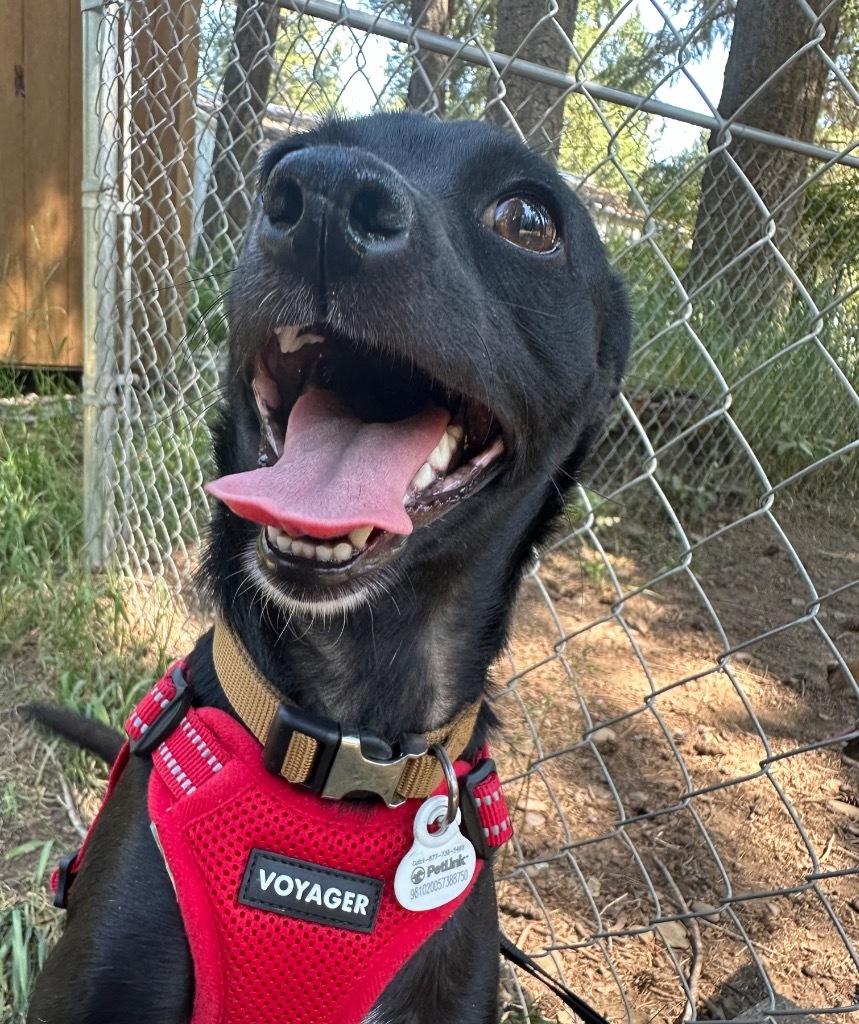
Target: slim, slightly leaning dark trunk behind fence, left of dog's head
239 133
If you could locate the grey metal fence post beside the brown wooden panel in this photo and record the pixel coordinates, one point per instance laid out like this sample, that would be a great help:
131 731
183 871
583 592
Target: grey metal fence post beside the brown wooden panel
100 112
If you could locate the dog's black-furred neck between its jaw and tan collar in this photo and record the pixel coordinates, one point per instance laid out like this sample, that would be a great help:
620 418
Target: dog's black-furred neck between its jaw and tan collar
418 651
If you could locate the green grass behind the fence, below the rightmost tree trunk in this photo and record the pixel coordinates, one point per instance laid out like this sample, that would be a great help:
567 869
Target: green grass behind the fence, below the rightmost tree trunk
786 398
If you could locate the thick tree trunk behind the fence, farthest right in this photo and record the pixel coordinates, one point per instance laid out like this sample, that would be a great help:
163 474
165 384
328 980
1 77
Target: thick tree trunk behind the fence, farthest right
749 282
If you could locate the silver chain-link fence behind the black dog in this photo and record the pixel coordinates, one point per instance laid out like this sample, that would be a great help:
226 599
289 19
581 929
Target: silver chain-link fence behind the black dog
683 676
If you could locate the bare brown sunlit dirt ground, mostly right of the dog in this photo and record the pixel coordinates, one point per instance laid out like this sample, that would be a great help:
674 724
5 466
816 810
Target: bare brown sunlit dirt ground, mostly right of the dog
677 822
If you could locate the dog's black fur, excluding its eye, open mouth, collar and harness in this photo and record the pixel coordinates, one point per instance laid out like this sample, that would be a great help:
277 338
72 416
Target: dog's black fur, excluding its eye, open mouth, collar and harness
541 340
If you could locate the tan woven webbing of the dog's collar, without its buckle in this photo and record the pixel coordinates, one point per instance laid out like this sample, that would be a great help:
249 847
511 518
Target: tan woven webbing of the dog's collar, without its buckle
256 702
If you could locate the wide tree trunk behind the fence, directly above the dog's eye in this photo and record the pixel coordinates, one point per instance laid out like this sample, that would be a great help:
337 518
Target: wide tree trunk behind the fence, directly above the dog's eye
538 109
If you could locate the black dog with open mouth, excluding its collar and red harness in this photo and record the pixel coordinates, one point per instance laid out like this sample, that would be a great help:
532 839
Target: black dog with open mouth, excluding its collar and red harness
403 281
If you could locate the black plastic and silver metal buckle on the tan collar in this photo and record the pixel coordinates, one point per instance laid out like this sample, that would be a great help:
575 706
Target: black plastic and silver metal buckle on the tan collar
339 766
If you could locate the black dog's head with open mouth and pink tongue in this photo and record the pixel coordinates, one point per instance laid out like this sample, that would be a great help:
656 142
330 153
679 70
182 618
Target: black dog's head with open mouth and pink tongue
424 338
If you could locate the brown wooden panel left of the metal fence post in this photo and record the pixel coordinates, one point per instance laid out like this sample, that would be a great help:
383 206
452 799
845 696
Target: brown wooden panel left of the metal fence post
40 184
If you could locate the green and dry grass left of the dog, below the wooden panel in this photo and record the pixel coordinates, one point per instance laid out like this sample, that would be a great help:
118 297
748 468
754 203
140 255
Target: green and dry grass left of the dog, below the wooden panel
66 635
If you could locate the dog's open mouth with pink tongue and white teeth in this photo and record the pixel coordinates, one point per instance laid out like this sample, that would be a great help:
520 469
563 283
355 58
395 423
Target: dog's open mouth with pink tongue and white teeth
358 449
